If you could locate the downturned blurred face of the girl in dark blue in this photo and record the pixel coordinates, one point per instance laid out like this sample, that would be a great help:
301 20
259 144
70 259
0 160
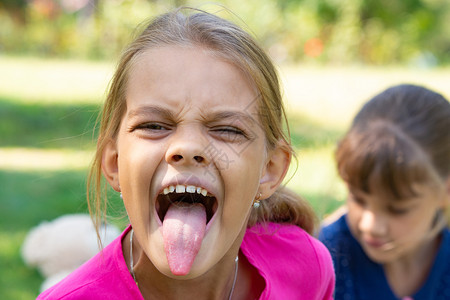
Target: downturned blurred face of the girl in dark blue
389 230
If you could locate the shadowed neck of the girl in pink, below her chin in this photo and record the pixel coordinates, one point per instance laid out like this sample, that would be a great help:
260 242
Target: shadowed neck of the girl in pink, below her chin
155 285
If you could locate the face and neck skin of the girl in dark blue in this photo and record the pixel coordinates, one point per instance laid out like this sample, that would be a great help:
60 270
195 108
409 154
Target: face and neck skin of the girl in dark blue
398 234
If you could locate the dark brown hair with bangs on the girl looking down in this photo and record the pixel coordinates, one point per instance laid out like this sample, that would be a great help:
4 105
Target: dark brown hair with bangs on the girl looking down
400 137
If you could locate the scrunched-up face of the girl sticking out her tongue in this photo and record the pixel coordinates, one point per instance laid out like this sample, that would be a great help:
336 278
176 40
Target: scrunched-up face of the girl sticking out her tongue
191 126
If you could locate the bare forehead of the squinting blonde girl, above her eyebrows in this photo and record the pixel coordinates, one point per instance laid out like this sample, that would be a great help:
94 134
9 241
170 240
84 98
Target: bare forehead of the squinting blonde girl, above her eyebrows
189 76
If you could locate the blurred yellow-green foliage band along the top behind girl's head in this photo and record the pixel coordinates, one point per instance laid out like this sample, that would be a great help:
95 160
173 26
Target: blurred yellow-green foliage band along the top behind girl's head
366 31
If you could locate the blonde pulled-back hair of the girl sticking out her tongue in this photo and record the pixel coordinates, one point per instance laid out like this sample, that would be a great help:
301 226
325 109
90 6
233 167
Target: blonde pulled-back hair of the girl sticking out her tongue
233 44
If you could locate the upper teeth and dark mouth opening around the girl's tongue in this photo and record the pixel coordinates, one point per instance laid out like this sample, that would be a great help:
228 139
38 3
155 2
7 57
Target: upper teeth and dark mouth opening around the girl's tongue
185 194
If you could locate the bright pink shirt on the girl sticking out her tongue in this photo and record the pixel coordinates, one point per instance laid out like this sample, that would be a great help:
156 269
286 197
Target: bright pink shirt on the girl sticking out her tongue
293 264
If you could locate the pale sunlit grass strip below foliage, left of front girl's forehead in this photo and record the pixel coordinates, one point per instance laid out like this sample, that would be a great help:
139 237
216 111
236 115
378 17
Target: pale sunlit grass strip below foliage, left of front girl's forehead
53 81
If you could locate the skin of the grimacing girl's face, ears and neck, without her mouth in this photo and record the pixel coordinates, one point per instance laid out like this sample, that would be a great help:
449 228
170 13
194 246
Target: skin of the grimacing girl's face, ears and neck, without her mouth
185 105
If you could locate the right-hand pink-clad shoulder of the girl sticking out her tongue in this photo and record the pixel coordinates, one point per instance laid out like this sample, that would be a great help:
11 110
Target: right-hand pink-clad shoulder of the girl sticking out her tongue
290 256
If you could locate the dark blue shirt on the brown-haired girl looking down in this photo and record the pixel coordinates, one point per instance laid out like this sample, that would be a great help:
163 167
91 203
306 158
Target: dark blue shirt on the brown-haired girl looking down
359 278
